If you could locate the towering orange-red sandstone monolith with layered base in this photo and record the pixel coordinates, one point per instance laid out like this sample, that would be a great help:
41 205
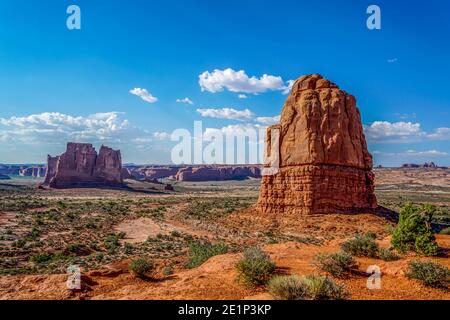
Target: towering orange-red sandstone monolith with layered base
324 164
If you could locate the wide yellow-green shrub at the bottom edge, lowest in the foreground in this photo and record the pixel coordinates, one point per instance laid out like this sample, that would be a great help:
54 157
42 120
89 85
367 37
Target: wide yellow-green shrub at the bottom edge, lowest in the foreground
313 287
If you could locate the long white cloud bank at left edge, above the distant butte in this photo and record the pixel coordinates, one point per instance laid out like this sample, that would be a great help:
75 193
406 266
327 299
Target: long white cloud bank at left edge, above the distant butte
57 128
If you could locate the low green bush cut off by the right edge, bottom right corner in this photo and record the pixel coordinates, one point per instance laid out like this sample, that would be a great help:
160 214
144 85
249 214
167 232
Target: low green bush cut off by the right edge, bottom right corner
429 273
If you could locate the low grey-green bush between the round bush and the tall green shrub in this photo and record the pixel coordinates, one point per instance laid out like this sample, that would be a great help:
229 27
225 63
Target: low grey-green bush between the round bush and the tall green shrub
339 265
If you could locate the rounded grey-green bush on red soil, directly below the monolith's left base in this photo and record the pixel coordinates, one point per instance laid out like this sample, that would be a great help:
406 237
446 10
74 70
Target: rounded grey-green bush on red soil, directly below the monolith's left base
255 268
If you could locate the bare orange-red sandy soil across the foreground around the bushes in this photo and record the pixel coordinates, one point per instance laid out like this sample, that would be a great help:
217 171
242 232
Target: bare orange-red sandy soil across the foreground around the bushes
215 279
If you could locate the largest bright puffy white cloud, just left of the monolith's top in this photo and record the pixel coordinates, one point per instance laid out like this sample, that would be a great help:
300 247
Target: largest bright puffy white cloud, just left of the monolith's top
239 82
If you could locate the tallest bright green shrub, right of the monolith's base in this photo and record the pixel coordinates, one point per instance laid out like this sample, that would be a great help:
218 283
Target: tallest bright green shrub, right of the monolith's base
413 232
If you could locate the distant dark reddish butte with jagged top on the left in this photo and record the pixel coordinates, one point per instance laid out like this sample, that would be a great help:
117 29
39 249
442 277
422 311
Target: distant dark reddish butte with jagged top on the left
81 166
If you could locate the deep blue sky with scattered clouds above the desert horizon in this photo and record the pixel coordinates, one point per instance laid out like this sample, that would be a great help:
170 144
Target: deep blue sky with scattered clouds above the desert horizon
58 84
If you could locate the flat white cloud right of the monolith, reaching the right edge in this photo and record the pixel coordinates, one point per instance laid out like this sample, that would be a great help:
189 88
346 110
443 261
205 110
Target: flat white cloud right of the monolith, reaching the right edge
402 132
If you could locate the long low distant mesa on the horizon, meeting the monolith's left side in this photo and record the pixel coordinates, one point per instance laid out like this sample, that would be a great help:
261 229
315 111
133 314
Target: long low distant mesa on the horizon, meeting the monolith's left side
218 173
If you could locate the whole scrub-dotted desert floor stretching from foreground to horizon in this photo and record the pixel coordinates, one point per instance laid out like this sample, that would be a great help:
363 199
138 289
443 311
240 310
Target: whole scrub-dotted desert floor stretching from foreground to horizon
42 232
